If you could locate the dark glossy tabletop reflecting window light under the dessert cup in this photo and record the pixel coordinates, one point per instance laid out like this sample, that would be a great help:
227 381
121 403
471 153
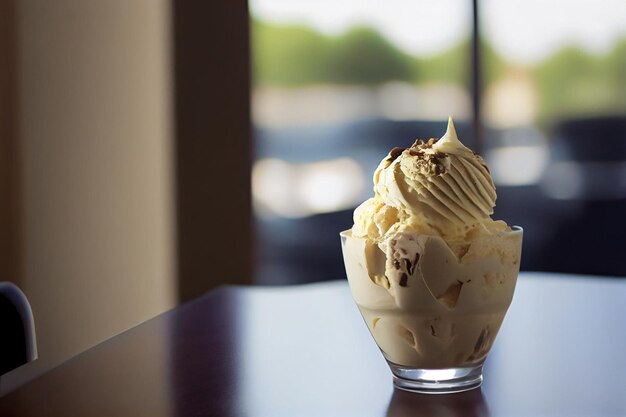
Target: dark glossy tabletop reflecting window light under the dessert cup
304 351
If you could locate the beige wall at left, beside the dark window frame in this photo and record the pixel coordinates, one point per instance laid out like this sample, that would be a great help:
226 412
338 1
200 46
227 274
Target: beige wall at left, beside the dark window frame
96 169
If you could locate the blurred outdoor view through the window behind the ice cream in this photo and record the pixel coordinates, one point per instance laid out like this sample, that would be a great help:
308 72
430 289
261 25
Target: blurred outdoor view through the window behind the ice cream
337 86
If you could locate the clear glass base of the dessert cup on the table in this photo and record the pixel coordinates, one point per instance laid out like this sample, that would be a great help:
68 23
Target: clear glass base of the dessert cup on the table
437 381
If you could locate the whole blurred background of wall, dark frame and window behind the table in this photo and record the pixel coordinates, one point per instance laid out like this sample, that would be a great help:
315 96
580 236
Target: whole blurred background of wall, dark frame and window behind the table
151 150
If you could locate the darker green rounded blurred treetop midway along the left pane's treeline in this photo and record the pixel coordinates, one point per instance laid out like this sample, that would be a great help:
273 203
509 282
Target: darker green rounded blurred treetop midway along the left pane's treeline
363 56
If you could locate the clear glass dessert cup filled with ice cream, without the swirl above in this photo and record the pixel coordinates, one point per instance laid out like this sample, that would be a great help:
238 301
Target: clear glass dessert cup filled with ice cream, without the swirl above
434 310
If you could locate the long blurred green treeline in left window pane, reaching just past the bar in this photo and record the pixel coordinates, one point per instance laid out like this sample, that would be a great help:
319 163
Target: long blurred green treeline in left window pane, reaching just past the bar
297 55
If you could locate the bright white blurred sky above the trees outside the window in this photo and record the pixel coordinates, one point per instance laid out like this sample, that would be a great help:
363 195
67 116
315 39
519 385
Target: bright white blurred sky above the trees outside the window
521 30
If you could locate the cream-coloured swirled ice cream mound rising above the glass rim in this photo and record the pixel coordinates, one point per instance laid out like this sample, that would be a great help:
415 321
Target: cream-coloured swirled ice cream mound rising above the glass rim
437 187
